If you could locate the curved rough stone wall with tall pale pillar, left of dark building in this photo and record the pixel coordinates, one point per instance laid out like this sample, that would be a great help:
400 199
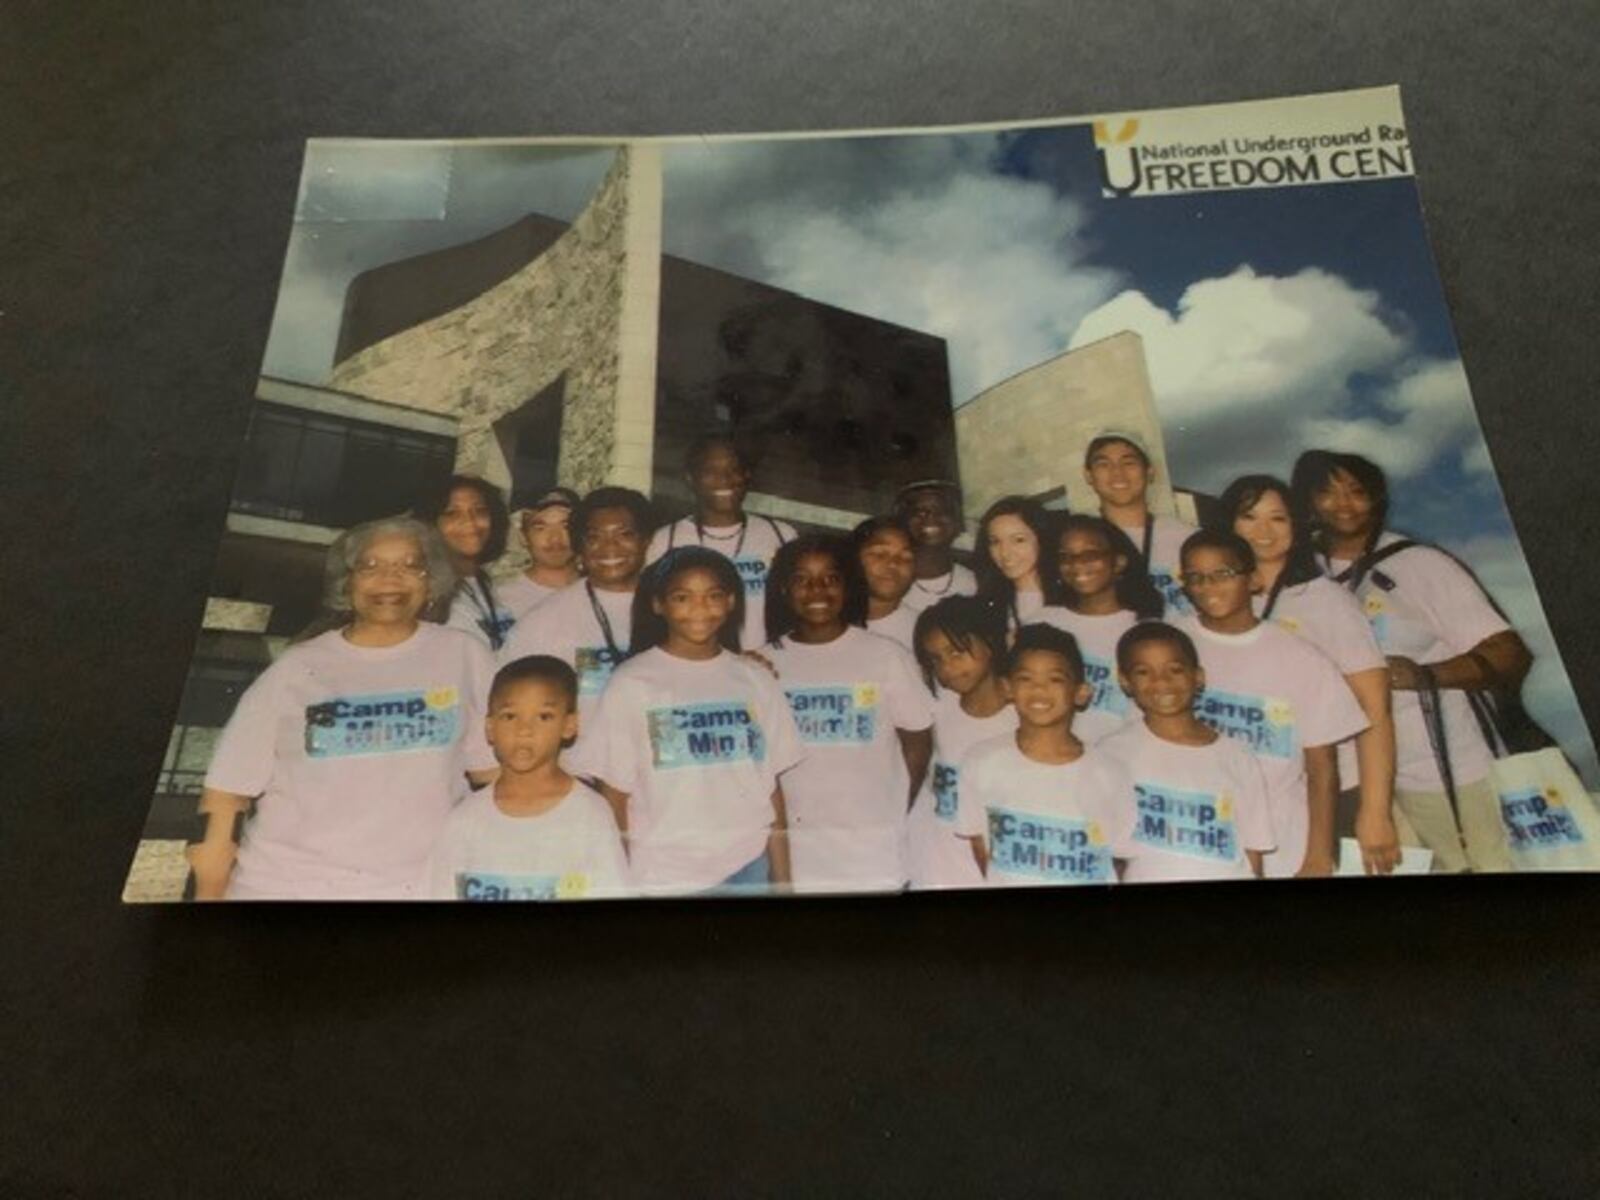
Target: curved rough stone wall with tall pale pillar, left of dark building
586 306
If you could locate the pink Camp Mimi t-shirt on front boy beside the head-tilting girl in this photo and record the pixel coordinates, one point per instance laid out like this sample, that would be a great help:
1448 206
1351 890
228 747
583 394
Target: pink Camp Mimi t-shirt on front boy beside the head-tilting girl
1046 823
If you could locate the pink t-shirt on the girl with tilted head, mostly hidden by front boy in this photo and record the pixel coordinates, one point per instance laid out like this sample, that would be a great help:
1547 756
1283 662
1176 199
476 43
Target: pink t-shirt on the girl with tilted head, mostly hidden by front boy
940 857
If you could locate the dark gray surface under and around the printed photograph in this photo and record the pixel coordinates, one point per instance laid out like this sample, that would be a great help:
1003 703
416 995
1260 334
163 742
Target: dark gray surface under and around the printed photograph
1425 1038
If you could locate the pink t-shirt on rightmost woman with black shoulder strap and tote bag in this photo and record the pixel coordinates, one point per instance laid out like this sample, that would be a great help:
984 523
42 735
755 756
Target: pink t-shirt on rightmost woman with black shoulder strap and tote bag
1433 610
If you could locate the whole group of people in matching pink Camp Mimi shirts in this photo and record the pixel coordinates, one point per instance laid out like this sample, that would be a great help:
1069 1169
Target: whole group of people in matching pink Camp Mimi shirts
726 705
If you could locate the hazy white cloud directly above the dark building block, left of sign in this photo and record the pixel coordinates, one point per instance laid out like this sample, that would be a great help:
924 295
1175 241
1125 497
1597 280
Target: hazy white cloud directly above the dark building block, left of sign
916 231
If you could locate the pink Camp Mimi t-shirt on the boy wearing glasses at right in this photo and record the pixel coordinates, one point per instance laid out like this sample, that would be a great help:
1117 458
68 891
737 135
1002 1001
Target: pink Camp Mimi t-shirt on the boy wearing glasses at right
1278 695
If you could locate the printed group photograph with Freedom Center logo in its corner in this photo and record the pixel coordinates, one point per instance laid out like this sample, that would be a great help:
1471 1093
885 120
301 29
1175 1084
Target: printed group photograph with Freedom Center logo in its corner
1095 502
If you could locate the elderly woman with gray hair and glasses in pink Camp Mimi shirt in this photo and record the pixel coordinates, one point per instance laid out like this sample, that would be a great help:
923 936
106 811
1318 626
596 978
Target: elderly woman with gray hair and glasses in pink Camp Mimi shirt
353 748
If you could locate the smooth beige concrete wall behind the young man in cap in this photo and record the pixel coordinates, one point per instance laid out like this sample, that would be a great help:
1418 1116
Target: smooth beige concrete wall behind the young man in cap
1030 433
